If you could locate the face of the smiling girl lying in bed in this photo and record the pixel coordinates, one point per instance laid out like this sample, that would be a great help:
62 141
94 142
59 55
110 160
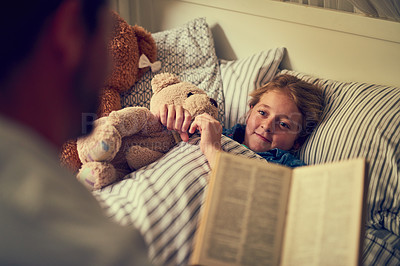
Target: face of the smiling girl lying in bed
274 122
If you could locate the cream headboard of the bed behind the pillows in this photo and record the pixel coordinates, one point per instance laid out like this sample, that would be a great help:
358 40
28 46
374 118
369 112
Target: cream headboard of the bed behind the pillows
320 42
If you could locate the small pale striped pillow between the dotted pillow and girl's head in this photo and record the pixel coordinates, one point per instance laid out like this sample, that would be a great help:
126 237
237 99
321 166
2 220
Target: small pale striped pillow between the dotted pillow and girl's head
240 77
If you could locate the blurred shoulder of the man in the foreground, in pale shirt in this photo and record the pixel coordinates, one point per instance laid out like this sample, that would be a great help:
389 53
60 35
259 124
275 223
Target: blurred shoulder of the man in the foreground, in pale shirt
43 201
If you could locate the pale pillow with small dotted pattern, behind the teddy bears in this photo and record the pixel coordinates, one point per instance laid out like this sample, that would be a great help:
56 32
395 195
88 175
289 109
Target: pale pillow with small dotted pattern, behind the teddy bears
187 51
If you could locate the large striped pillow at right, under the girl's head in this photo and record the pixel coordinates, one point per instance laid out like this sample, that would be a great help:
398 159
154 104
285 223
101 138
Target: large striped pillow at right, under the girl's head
362 120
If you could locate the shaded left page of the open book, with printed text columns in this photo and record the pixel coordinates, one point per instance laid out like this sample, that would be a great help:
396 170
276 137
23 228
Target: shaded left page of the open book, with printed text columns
246 215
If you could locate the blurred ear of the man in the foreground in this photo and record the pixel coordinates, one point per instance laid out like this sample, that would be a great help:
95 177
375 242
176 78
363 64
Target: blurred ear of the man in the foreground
68 33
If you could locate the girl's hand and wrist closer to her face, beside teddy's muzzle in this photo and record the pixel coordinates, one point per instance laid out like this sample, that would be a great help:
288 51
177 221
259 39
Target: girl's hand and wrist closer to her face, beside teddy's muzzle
211 131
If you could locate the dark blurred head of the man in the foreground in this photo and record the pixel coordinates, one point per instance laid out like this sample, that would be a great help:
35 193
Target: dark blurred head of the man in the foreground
54 54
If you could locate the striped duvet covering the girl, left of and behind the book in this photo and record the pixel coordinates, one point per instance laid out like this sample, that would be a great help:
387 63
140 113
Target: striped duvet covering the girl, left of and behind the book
163 199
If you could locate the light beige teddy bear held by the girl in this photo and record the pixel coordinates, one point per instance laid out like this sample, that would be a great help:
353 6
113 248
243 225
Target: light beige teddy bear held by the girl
133 137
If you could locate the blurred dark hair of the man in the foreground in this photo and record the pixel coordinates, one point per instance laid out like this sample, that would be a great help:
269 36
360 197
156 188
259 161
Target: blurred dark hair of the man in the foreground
22 21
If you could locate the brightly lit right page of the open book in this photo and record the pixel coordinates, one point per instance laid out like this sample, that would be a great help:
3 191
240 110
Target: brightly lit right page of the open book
325 214
